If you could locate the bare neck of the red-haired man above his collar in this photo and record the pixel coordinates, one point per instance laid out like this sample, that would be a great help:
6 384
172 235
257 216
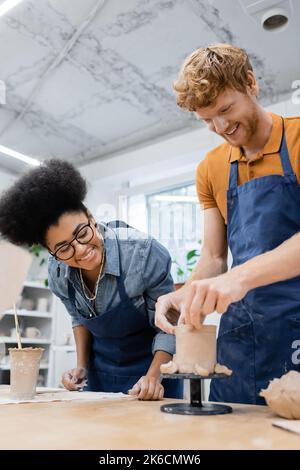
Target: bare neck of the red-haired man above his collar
261 137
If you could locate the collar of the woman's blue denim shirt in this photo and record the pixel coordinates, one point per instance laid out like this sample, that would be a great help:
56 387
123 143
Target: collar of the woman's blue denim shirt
112 262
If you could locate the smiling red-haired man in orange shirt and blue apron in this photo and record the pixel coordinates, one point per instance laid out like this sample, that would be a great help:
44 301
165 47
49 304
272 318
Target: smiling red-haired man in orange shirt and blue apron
249 190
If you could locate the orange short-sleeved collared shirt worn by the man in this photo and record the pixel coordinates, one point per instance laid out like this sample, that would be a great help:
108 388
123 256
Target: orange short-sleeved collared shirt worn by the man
213 171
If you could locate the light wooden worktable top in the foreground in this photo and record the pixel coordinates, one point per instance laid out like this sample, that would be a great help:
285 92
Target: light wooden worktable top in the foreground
132 424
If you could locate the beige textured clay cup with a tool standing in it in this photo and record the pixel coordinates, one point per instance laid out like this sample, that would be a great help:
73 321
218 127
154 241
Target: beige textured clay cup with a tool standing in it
24 368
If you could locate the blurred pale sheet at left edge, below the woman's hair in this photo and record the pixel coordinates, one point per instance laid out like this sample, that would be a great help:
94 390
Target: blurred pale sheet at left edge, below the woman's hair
14 265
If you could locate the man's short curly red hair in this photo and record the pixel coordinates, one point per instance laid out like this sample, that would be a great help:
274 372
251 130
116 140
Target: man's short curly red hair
209 71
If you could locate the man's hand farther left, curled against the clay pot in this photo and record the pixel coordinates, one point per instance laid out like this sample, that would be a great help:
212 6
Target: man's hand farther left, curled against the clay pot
168 310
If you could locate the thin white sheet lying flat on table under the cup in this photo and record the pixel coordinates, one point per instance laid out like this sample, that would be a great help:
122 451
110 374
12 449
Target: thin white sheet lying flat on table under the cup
46 395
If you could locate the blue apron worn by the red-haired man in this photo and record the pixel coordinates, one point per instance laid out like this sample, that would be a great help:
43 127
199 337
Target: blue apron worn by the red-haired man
258 334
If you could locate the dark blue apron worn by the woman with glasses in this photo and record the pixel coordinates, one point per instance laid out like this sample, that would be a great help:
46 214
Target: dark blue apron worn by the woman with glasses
121 346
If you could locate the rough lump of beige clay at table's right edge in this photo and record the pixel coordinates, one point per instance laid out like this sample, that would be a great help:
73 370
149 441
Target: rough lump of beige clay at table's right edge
283 395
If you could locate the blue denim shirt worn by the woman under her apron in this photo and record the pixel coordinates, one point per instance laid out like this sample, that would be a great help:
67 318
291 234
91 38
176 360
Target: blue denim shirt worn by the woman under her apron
146 268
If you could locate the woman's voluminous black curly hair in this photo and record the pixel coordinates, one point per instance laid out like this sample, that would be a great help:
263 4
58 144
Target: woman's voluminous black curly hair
37 200
